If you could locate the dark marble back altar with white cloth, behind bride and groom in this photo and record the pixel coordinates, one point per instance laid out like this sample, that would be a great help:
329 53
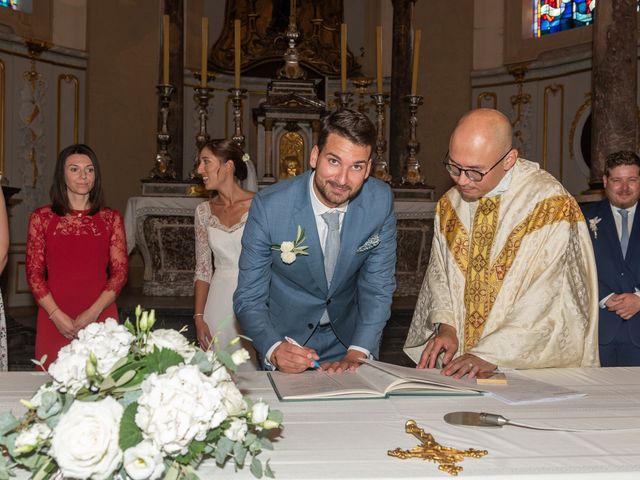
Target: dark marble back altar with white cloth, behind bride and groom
162 230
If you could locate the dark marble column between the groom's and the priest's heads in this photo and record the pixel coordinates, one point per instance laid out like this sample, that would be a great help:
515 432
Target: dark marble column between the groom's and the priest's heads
402 50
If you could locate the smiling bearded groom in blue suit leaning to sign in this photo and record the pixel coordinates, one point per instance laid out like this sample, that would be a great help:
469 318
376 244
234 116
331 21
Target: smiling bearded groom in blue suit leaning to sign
317 268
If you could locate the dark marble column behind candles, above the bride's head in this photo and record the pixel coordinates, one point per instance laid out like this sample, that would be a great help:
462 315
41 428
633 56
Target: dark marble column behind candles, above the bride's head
175 10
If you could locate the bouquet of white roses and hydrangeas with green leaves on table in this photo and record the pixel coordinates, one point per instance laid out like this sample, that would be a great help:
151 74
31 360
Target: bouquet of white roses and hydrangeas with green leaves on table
129 402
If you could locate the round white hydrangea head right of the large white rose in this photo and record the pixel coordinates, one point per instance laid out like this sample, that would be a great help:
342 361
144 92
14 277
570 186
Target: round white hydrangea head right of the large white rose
179 406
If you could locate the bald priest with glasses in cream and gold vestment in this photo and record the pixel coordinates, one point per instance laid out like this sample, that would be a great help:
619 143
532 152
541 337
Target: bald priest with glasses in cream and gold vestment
511 281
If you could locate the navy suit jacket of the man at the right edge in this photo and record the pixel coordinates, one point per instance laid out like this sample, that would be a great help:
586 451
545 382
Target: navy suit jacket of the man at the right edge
615 273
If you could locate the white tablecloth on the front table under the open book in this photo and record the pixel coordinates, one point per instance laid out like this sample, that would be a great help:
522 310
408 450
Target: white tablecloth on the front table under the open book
349 439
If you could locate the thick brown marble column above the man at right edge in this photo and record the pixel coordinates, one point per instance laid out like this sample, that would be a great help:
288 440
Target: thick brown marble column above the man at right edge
614 120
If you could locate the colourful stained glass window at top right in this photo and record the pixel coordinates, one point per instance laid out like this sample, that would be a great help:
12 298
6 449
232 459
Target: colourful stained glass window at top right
551 16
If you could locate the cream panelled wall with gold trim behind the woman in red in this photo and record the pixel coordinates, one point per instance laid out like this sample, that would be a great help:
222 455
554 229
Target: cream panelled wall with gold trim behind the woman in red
42 107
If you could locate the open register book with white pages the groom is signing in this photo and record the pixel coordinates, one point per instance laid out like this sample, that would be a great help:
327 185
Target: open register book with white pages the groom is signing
372 380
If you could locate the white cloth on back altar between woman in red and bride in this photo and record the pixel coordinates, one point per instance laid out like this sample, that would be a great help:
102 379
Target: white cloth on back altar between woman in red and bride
142 206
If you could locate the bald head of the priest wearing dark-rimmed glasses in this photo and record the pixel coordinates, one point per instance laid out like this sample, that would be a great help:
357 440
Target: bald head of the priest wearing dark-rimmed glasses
480 152
